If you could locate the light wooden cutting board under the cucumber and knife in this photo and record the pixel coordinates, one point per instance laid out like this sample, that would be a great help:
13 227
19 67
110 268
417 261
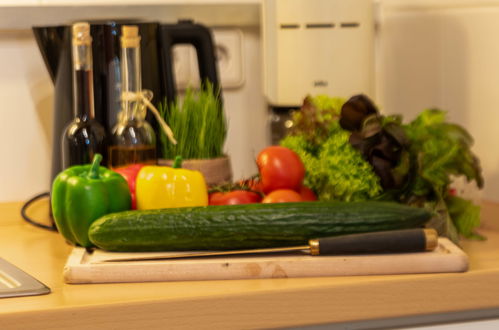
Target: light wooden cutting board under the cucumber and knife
84 267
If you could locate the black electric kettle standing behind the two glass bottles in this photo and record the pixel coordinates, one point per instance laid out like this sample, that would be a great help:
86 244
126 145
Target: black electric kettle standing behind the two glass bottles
157 41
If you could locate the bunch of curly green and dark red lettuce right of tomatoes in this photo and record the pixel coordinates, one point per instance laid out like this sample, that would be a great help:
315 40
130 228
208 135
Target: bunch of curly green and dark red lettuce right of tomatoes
357 154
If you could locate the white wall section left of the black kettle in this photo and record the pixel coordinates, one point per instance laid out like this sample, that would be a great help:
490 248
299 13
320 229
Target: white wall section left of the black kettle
26 117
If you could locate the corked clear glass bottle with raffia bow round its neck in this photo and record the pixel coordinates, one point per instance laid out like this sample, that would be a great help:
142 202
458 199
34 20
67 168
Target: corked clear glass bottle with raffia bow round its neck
133 139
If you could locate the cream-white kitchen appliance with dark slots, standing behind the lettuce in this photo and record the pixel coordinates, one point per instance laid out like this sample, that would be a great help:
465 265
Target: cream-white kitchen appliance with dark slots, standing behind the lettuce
313 47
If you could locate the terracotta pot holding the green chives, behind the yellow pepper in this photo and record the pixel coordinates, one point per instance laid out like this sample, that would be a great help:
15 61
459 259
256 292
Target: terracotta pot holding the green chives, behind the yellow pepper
216 170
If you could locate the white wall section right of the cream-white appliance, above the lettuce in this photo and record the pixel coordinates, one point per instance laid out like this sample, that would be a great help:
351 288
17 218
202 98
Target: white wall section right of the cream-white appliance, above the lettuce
445 55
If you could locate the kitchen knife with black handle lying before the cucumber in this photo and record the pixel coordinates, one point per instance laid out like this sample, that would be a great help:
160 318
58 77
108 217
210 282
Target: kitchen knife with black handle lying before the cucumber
393 241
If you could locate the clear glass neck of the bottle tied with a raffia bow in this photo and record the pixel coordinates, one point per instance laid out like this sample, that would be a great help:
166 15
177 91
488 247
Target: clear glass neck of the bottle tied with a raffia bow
131 81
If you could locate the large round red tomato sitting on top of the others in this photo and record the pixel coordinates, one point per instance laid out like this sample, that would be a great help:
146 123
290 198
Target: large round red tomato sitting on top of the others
280 168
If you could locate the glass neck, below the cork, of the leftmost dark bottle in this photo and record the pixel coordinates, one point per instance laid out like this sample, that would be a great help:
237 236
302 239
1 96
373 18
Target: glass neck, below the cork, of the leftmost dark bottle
83 87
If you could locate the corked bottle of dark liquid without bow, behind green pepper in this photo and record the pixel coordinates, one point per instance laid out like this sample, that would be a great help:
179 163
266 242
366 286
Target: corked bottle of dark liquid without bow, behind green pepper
84 136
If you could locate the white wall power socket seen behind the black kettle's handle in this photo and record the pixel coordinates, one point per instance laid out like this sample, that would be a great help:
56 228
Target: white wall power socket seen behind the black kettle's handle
229 56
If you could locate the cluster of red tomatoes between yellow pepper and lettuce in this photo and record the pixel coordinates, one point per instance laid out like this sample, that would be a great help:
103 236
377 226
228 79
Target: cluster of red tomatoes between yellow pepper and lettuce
281 174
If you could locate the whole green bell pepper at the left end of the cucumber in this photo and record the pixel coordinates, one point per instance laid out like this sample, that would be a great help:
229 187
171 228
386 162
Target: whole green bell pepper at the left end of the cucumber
83 193
